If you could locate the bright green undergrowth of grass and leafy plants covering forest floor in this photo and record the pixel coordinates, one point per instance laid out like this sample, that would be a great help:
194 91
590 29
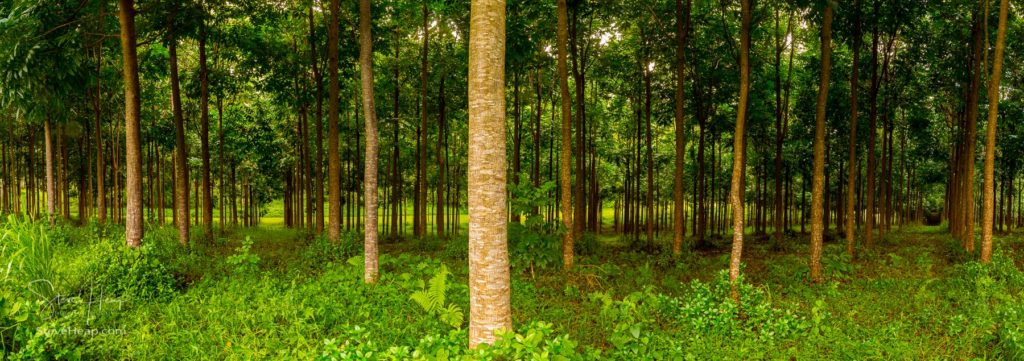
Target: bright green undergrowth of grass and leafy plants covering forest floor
281 294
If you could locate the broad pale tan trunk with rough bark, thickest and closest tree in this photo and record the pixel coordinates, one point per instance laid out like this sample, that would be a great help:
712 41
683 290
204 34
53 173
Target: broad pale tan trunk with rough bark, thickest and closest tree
490 280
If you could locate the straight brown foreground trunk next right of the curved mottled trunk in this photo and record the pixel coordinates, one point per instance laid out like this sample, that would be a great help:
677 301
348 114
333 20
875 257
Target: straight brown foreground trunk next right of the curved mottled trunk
819 190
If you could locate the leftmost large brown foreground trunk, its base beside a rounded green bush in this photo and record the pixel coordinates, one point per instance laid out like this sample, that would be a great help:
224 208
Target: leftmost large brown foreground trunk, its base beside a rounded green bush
134 225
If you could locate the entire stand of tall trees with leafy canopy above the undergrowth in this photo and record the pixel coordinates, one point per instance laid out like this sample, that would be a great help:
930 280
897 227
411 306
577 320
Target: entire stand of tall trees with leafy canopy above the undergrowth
578 109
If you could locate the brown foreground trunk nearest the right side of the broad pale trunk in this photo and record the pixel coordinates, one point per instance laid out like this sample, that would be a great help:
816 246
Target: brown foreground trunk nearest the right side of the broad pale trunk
566 157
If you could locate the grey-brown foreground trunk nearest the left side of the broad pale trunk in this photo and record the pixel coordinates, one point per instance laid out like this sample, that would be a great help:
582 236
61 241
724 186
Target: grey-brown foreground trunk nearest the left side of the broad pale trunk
370 116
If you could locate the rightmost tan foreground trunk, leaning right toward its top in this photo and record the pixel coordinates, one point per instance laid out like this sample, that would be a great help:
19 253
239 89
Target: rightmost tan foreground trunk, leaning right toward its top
994 109
